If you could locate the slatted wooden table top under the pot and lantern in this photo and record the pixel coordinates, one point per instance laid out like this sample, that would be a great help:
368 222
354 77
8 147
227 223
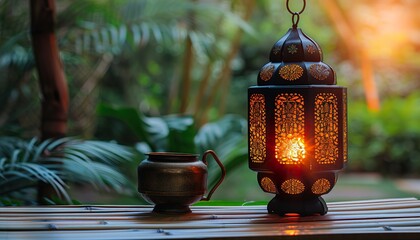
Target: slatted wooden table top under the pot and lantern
372 219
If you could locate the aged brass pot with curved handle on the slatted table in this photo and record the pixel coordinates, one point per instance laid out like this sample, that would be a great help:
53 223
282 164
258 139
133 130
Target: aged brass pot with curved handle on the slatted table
174 181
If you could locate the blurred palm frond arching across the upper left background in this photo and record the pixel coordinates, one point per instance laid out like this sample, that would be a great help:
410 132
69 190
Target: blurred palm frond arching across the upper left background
139 22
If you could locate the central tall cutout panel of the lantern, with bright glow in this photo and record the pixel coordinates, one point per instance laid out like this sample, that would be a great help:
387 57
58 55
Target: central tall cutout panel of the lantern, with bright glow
289 128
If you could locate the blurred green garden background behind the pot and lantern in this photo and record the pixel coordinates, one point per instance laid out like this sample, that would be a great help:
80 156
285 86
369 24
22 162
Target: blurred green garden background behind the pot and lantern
172 75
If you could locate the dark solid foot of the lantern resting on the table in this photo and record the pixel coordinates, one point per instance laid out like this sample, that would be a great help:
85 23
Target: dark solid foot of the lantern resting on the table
303 207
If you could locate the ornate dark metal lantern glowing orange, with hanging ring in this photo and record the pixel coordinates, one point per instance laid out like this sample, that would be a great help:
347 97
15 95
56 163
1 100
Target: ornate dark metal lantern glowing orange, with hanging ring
297 125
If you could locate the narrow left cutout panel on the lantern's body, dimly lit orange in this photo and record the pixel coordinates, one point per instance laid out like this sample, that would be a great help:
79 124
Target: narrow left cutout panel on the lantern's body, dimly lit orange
257 122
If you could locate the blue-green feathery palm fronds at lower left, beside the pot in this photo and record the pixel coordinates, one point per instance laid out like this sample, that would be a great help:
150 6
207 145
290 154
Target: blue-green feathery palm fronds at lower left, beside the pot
56 163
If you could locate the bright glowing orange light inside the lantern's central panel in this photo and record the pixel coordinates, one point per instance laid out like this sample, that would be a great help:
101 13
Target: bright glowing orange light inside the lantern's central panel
291 150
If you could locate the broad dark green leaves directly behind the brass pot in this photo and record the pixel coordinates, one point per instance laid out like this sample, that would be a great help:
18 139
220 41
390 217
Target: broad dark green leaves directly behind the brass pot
227 136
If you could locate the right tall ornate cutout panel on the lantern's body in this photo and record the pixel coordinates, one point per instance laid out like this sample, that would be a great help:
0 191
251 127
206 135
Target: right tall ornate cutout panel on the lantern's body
326 128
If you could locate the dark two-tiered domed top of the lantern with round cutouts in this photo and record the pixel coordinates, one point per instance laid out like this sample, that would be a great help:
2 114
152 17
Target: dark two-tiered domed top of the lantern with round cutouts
296 59
